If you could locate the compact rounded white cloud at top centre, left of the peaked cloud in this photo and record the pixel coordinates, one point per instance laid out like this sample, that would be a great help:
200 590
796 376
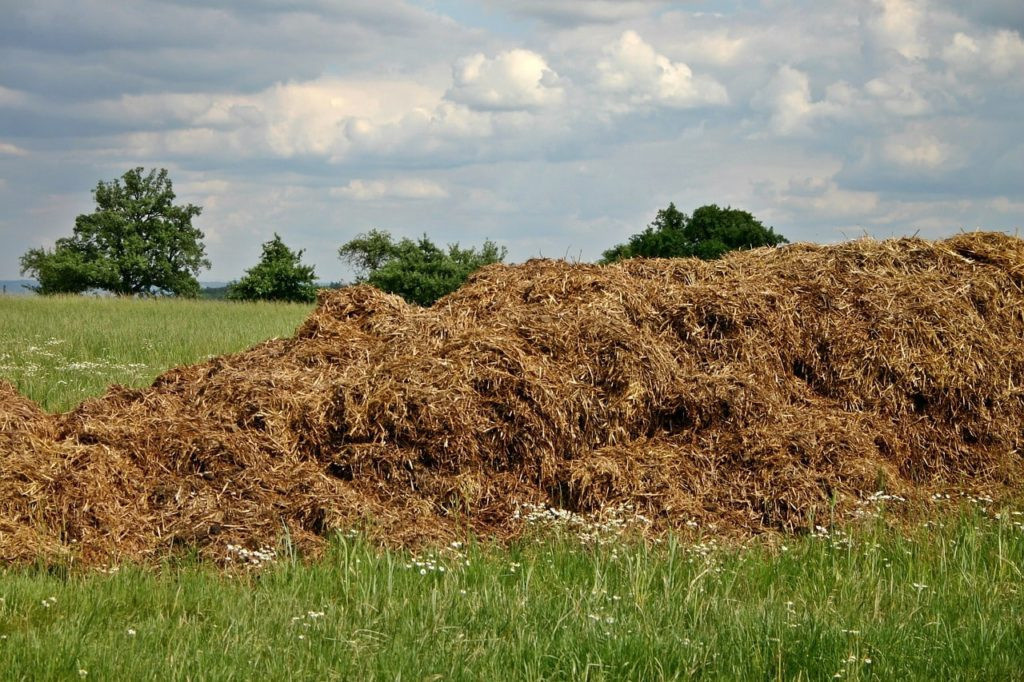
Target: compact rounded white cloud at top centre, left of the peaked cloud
514 80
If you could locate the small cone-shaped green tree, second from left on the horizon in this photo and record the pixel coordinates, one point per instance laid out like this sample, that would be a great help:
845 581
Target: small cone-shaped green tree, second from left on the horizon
280 276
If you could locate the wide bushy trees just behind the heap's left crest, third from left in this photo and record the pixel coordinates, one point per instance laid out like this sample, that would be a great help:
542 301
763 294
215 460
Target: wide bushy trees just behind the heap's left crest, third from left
417 271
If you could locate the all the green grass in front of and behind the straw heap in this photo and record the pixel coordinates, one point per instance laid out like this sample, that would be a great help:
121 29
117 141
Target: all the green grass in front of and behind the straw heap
942 601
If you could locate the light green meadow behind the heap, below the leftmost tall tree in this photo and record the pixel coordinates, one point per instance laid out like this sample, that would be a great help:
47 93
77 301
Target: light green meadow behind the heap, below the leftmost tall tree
61 351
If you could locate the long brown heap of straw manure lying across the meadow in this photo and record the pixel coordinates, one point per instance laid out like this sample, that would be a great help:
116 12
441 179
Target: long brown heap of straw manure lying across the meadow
752 394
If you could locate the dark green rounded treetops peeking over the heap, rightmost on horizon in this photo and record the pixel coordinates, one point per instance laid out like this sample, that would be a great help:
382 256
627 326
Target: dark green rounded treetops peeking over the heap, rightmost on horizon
711 233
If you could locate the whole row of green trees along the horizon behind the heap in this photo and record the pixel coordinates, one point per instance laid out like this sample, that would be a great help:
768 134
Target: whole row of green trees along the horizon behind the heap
139 243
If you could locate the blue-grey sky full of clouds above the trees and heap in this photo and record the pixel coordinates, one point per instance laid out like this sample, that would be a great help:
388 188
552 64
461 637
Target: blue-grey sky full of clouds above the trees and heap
554 127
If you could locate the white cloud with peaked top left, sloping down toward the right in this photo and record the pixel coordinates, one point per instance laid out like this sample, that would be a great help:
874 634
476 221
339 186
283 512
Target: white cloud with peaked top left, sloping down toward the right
633 70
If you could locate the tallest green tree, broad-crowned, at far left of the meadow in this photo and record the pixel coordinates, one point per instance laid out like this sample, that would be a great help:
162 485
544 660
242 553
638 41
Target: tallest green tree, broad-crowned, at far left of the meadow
137 242
